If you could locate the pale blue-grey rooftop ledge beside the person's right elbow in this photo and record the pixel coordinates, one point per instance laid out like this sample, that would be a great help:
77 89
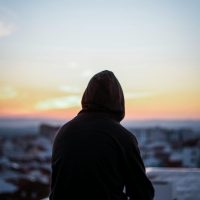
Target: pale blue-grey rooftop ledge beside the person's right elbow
174 183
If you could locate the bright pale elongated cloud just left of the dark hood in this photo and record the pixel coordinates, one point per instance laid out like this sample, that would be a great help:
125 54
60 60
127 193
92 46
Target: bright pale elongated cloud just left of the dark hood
59 103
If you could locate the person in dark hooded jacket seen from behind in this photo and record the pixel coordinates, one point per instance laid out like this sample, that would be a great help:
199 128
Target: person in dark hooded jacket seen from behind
94 157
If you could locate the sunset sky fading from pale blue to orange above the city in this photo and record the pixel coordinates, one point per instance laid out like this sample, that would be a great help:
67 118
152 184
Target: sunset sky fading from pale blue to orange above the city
50 49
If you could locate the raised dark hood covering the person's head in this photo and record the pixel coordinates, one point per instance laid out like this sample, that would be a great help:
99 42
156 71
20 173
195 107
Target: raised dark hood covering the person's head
104 94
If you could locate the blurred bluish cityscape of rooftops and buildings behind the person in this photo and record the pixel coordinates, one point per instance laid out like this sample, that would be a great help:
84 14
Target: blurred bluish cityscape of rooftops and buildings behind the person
25 160
